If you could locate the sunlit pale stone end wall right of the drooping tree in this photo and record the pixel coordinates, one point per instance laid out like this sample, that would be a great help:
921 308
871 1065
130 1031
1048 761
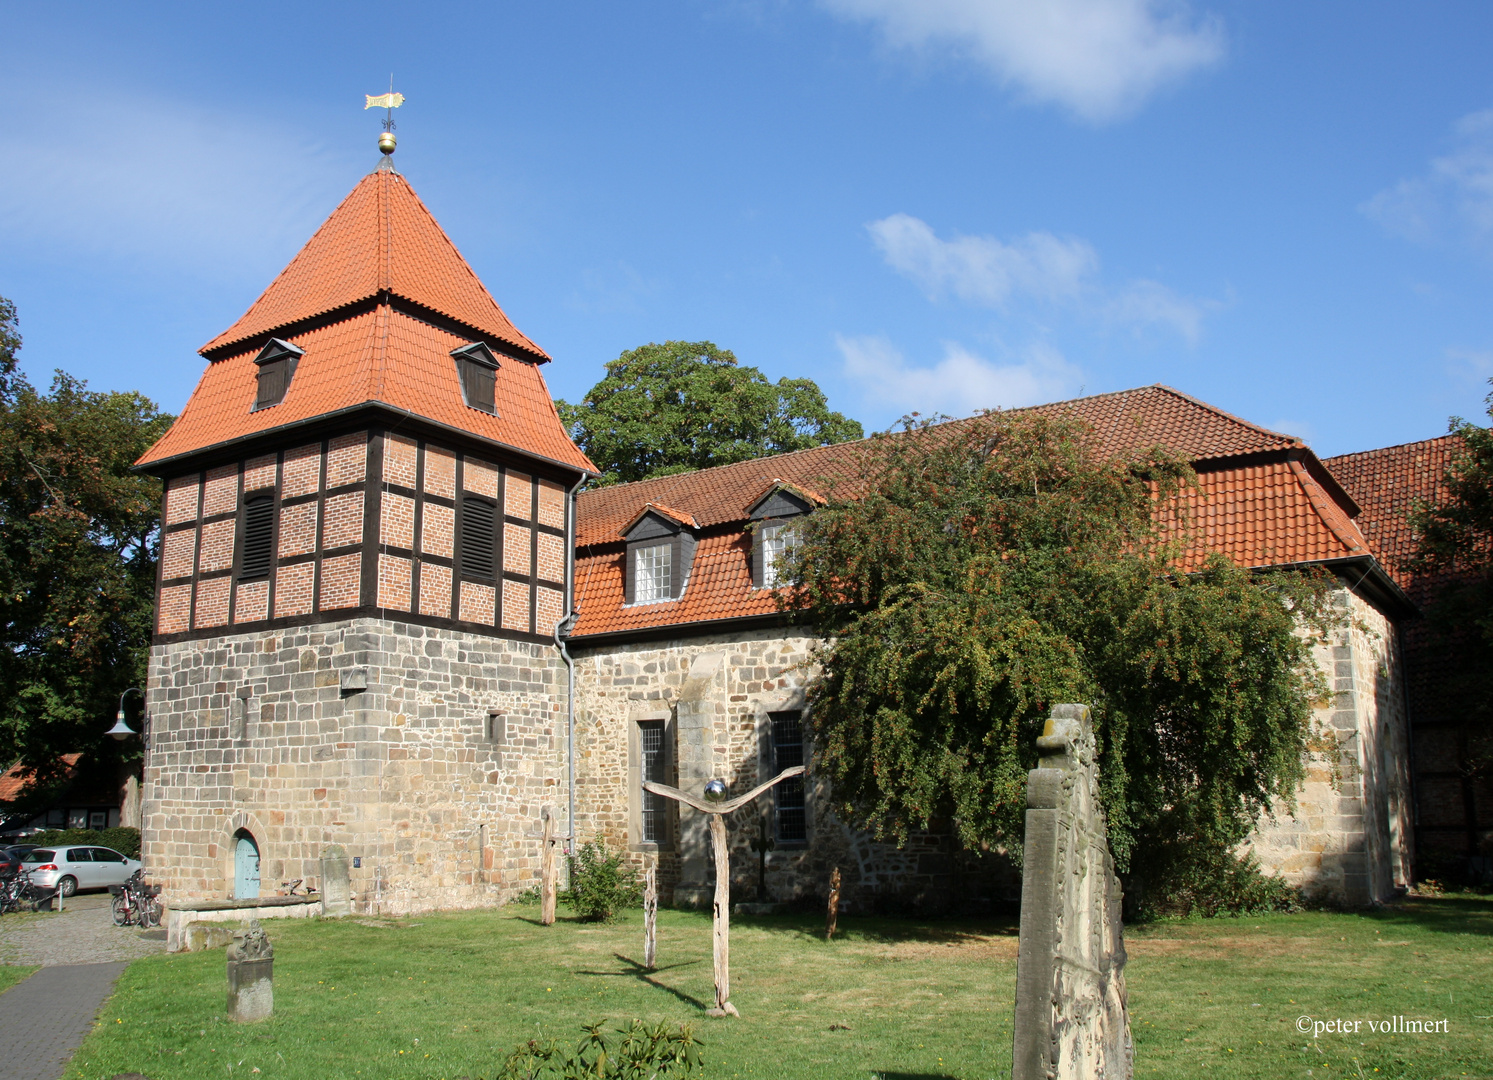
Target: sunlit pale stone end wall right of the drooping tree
1350 840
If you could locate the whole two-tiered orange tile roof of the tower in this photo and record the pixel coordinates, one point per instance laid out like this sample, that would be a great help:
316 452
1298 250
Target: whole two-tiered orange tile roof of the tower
377 252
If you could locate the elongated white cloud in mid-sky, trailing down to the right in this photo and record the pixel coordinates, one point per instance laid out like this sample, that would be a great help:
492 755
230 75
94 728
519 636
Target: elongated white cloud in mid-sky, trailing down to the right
1038 267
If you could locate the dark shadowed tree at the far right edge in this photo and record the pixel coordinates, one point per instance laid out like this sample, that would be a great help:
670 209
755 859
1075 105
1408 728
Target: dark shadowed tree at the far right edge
1455 552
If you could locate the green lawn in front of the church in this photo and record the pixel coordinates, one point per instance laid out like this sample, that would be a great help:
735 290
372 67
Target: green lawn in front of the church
449 996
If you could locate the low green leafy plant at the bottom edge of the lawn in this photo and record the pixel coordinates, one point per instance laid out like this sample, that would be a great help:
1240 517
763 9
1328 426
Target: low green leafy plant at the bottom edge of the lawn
643 1054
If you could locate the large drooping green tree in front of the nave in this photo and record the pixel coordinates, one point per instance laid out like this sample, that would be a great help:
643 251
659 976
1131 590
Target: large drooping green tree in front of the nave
991 568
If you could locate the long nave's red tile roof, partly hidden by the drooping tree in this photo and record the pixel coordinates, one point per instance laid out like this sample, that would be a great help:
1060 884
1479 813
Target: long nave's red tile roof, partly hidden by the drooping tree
1276 507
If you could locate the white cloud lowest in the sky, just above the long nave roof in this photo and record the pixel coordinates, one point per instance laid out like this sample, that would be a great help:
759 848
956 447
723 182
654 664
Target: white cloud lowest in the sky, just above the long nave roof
958 385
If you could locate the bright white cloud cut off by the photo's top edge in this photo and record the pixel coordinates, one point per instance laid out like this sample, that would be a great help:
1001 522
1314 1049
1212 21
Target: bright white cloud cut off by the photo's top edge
1101 59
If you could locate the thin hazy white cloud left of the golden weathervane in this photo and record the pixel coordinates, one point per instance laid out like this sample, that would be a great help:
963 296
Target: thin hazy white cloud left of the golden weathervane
201 190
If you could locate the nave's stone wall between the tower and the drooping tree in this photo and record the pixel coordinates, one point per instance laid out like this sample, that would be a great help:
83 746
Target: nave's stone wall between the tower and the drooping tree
716 692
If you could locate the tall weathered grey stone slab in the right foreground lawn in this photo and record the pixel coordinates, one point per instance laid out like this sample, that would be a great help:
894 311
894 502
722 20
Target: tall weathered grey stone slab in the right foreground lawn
1071 1021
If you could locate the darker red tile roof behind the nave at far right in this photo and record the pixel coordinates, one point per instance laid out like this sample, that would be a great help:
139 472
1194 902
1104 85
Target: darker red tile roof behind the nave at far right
1388 485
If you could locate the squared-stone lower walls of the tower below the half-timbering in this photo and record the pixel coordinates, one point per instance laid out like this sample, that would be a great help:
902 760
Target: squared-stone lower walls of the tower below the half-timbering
255 731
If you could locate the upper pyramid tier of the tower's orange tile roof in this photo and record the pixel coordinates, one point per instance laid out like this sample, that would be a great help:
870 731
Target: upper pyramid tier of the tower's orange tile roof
381 240
